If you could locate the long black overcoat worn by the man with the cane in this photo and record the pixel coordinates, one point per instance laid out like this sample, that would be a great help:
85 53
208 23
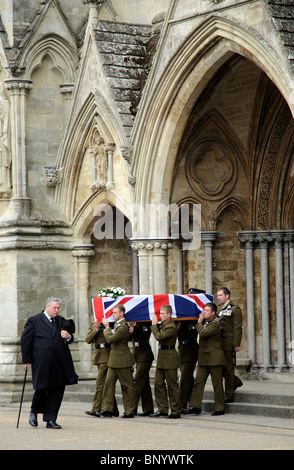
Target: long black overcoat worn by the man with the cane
44 348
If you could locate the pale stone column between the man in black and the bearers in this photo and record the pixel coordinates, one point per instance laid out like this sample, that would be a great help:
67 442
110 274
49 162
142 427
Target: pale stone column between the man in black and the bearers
82 255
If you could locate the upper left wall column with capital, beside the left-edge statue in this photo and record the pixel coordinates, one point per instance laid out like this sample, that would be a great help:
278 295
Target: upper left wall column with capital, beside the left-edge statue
20 204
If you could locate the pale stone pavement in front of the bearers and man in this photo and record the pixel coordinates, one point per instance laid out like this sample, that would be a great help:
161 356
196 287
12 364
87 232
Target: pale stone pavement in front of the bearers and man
116 436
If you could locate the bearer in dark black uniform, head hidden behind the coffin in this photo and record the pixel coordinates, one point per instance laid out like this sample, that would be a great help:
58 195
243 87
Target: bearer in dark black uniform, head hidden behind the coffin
188 352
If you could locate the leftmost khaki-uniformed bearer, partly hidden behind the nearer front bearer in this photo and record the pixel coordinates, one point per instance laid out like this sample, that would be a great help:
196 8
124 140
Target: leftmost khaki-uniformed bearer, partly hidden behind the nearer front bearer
96 336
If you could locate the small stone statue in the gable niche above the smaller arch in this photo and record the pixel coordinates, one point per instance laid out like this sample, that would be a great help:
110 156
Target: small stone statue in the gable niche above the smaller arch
99 155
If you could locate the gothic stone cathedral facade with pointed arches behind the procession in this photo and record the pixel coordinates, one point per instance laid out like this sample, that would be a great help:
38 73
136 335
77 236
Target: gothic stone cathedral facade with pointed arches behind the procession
109 108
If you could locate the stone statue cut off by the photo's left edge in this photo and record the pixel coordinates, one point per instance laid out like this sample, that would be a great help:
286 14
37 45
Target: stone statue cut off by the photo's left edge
5 154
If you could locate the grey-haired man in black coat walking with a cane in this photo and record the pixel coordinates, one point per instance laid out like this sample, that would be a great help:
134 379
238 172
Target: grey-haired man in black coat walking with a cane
44 346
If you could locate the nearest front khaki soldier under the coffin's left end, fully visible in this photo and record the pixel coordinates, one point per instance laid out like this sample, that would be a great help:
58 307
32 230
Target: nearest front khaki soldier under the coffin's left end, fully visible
119 364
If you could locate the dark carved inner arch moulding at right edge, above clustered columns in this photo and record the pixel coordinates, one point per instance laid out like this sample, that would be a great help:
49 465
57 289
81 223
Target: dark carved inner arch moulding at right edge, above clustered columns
272 148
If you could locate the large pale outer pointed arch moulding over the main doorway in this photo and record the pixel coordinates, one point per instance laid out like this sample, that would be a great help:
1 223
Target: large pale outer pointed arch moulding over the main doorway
167 111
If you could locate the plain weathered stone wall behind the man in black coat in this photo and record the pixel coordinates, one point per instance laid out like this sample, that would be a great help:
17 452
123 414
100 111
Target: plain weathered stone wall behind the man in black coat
28 278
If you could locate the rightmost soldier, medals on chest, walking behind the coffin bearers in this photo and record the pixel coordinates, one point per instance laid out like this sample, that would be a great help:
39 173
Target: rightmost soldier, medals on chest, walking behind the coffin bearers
230 318
